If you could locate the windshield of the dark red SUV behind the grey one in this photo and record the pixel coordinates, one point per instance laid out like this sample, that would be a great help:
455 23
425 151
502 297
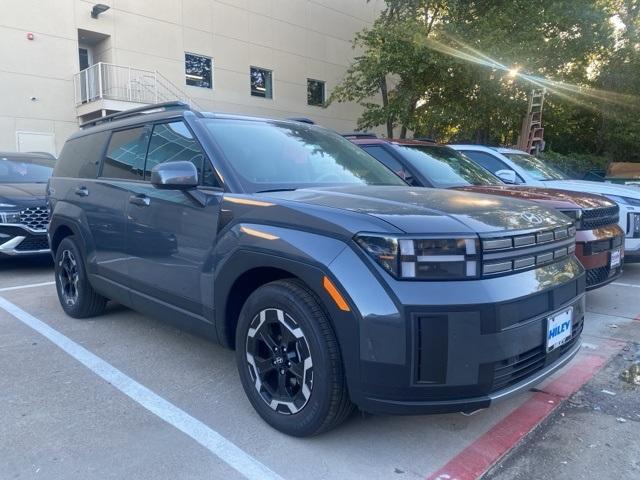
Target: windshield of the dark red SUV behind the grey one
444 167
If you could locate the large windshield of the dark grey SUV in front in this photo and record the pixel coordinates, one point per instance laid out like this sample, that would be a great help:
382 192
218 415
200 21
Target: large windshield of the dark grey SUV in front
280 155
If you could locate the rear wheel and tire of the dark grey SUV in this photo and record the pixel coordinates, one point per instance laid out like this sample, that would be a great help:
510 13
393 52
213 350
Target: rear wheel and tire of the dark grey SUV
76 295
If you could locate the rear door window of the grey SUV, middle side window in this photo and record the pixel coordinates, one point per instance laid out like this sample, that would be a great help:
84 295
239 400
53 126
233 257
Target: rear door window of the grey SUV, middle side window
125 155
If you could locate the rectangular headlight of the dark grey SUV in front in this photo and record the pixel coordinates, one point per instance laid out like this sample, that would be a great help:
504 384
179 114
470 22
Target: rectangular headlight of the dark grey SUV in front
424 258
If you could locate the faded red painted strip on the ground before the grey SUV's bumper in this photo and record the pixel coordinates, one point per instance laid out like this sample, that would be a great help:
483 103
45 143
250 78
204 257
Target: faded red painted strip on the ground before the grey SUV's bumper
478 457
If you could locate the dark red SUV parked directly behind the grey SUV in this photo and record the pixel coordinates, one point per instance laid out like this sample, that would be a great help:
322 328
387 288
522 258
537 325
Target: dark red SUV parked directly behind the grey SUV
599 240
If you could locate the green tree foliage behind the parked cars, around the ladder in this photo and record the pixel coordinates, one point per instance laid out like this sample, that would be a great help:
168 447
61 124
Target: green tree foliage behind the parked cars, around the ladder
440 68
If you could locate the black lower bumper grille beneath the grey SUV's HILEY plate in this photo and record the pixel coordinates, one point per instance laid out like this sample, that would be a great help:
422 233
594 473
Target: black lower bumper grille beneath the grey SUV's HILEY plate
513 370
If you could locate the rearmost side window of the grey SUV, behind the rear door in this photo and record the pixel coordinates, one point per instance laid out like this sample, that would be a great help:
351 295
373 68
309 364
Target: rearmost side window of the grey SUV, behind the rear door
80 157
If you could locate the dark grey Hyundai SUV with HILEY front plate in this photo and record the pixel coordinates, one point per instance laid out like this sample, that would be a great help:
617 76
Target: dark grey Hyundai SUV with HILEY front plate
335 282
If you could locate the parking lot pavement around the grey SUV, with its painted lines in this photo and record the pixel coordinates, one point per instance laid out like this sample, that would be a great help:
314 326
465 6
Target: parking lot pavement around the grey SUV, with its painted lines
126 396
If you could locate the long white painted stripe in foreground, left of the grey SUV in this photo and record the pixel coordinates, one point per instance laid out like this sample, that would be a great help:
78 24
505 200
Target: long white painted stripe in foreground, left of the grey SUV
201 433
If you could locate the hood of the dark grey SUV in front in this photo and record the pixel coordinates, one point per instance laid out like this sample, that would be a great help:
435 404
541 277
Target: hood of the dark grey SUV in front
429 210
